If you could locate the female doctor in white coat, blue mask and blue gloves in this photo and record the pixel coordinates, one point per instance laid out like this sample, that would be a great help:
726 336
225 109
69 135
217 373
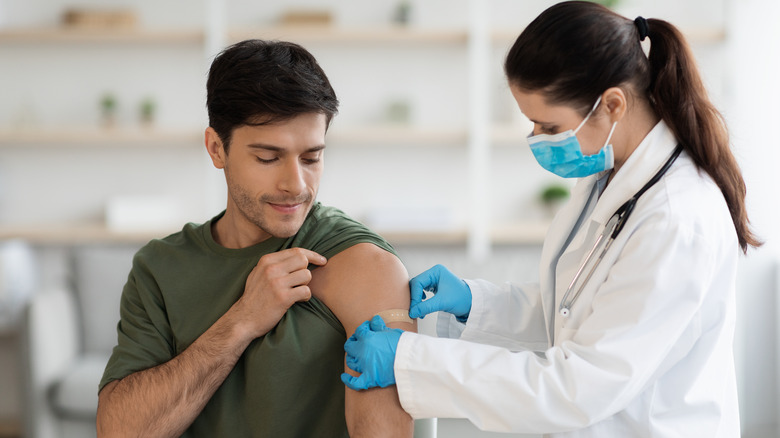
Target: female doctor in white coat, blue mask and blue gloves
630 331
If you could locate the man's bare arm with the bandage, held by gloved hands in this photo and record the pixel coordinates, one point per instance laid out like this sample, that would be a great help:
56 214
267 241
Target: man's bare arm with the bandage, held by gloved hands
356 284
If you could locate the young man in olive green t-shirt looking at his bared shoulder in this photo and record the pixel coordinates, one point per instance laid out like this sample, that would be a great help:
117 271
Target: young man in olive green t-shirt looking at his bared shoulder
236 327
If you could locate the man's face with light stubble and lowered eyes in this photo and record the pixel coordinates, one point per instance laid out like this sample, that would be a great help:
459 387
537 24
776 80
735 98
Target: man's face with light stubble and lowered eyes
273 173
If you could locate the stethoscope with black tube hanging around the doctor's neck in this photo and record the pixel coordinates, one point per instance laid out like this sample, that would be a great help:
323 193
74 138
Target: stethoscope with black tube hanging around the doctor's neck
612 229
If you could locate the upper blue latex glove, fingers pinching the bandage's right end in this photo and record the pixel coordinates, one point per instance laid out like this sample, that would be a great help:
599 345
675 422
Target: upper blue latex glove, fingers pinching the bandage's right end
451 294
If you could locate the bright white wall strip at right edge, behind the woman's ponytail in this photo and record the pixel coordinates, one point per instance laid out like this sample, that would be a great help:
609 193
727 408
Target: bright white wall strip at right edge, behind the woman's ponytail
753 114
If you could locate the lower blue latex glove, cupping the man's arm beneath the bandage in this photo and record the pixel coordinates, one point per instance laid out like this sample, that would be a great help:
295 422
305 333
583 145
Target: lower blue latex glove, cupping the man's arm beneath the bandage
371 352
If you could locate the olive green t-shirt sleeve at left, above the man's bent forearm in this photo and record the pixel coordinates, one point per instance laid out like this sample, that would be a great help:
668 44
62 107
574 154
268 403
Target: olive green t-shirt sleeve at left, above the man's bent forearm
144 337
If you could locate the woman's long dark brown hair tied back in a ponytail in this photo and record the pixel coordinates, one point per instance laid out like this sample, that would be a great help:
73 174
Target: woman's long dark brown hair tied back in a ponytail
575 50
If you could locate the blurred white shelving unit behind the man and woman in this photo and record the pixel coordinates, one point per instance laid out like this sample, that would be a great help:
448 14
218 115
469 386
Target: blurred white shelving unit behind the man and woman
474 141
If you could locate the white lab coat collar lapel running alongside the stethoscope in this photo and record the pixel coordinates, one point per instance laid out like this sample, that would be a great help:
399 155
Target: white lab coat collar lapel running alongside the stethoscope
644 162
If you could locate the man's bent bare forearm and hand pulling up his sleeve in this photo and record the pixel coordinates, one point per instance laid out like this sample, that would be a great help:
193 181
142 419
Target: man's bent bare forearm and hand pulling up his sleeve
164 400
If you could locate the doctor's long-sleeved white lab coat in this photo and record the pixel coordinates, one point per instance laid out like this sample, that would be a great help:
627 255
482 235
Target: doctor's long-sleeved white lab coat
647 349
